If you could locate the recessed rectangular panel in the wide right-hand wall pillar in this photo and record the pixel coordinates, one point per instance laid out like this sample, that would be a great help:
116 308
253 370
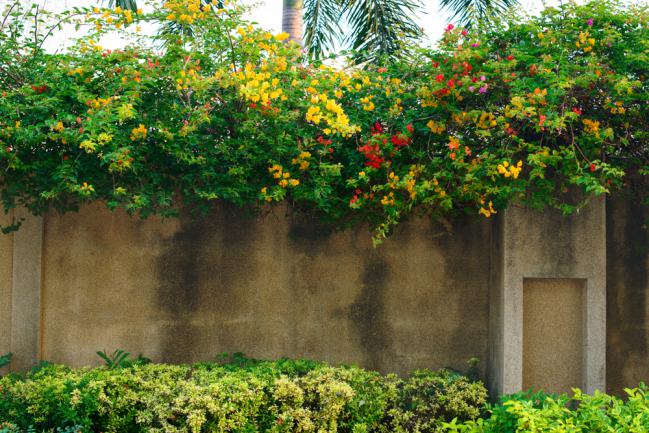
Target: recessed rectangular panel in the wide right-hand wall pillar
553 333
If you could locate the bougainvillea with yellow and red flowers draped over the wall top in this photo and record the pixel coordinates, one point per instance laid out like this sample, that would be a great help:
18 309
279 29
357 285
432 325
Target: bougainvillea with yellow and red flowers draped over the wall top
224 110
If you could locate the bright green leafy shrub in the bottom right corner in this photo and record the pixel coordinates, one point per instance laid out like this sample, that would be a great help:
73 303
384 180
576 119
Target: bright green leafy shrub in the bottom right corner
579 413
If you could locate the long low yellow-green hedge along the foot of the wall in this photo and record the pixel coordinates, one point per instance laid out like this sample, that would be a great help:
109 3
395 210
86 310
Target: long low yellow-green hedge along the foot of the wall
240 395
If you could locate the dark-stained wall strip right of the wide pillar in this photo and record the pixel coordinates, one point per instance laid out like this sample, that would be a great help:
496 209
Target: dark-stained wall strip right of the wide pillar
627 291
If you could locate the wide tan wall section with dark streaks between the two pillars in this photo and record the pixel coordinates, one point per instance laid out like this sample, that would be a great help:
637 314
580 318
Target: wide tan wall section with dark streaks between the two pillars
269 287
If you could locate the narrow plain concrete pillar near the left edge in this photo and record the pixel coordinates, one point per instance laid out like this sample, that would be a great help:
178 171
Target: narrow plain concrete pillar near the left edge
26 291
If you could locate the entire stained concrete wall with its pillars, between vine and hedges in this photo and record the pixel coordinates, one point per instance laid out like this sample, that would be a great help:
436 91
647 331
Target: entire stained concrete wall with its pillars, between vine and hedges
279 285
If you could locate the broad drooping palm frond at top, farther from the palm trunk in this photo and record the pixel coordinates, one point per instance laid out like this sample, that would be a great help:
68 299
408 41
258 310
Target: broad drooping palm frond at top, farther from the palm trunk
381 28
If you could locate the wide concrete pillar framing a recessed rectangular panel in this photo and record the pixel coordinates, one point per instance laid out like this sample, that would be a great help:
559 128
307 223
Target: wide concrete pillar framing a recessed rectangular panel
568 251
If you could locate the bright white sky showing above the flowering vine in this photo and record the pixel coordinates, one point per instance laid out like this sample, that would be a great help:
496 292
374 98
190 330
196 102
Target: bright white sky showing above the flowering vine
268 13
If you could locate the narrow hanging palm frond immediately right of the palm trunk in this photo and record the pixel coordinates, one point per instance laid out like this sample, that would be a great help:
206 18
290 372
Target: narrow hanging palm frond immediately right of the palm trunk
322 26
